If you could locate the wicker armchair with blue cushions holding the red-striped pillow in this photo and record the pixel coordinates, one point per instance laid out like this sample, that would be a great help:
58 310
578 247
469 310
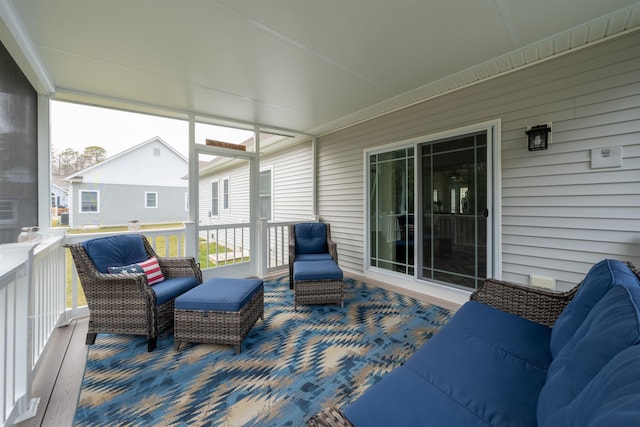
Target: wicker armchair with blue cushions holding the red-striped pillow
126 303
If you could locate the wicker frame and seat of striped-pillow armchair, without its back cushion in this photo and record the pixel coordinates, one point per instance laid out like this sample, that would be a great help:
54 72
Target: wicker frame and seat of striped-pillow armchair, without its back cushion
127 304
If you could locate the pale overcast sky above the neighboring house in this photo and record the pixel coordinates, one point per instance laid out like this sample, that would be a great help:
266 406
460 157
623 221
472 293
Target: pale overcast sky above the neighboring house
78 126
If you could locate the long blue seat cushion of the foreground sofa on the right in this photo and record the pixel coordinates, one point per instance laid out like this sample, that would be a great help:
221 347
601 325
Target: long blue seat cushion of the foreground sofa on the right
481 368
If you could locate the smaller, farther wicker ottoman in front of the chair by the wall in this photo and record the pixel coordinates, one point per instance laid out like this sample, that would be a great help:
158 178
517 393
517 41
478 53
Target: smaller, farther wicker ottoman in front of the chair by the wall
317 282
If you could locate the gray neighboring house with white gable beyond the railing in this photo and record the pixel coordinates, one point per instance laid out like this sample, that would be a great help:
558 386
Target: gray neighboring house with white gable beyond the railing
143 183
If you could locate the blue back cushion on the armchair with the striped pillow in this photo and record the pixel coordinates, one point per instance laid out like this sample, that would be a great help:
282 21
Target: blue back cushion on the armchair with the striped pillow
114 251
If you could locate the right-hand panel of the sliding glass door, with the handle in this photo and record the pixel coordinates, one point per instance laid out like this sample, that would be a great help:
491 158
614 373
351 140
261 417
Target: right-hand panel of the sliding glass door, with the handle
454 210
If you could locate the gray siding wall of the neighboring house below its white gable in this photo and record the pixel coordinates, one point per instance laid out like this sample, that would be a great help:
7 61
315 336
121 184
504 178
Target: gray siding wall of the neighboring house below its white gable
120 203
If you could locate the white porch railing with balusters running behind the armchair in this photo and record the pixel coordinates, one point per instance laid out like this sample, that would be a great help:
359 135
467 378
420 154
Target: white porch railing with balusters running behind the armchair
35 290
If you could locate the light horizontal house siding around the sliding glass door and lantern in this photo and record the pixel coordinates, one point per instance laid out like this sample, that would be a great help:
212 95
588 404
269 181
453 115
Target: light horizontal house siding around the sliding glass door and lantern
559 215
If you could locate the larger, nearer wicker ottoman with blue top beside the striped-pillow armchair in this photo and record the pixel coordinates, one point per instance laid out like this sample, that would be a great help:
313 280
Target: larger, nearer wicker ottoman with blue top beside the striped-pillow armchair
219 311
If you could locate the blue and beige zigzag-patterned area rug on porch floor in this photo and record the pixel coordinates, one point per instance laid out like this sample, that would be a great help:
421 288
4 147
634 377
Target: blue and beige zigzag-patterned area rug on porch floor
292 364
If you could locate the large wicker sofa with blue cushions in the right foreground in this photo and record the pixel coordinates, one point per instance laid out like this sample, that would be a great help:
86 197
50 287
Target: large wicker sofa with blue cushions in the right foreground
517 356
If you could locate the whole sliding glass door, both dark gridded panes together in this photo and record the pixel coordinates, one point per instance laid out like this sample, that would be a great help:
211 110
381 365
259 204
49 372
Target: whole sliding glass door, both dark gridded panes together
441 234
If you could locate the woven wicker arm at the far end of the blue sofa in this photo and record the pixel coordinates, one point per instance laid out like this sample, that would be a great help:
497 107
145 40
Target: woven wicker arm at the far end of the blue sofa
536 304
